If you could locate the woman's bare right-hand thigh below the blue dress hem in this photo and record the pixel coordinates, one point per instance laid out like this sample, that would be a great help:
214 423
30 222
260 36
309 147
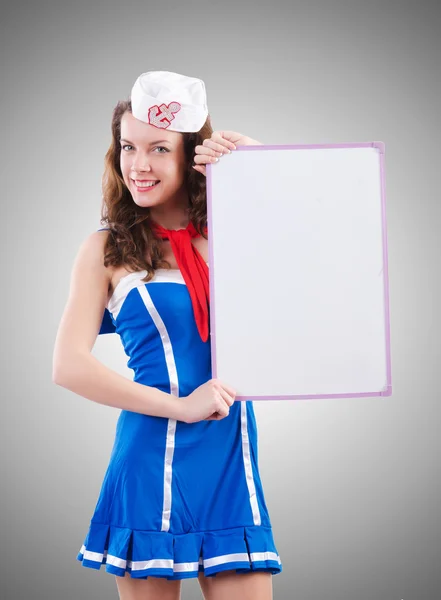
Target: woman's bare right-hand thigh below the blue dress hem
229 585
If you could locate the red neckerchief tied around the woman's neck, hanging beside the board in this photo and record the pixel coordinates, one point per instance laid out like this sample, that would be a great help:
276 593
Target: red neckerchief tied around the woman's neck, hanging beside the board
193 268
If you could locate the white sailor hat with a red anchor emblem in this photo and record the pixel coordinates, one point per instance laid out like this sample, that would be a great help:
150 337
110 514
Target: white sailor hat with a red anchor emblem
170 101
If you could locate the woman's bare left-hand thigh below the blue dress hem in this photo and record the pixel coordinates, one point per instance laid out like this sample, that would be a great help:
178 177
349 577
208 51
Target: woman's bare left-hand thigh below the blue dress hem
153 588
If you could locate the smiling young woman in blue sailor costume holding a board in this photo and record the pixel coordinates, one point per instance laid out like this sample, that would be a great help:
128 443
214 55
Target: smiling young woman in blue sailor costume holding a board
182 496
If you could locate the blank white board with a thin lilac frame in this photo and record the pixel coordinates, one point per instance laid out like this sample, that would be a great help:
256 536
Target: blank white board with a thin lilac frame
298 271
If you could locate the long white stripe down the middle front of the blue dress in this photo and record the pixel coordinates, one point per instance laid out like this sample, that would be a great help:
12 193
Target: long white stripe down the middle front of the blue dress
174 391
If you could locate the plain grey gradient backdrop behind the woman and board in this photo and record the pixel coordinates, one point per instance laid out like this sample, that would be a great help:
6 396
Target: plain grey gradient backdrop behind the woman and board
352 485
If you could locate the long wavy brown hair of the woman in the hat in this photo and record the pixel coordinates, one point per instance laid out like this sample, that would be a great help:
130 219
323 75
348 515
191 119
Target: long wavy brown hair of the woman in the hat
131 242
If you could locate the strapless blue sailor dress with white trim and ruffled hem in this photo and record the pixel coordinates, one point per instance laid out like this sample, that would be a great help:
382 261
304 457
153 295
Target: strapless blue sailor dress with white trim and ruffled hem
177 498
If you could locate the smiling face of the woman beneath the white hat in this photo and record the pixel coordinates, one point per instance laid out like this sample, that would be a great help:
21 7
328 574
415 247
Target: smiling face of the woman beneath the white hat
150 153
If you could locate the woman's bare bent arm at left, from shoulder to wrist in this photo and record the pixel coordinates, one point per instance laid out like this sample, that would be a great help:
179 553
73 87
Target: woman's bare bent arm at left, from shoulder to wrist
75 367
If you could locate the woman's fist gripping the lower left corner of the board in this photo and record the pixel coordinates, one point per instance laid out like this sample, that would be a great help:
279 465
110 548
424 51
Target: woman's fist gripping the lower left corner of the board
210 401
